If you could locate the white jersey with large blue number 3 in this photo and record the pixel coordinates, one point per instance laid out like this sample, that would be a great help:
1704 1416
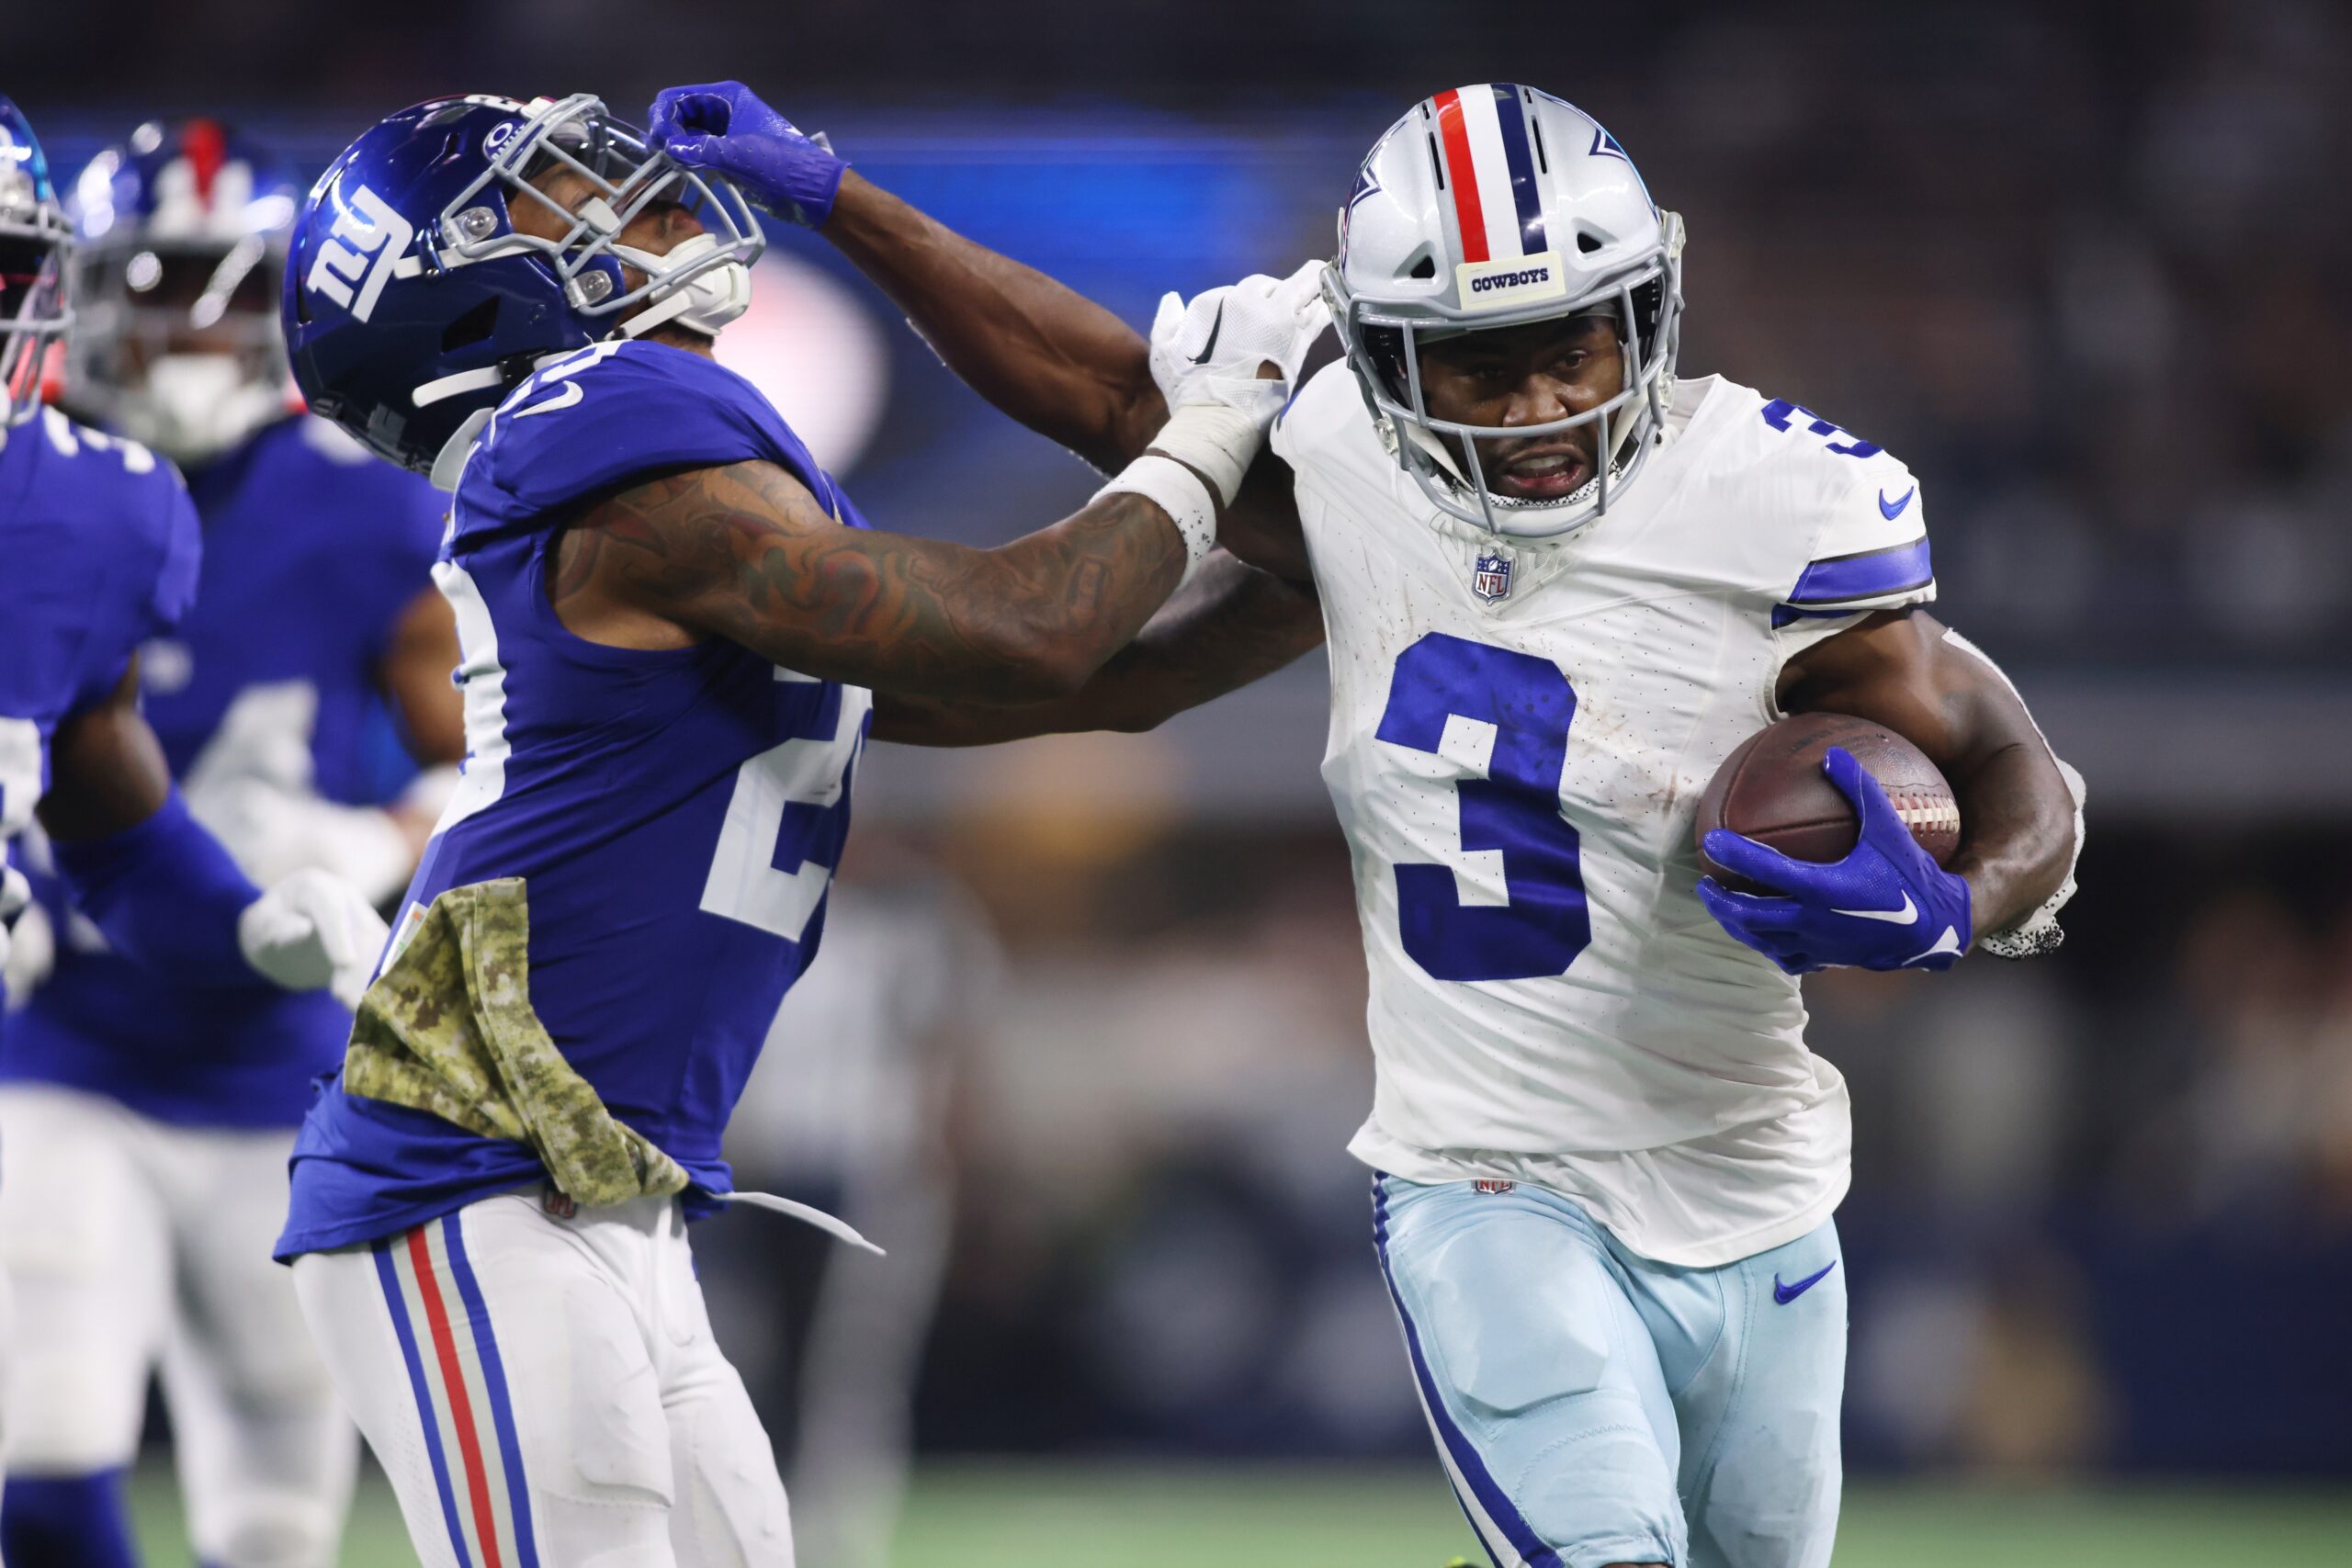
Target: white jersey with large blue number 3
1521 735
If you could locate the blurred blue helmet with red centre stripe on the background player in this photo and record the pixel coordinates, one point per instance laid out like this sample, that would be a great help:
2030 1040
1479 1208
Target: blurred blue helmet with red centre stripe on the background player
180 236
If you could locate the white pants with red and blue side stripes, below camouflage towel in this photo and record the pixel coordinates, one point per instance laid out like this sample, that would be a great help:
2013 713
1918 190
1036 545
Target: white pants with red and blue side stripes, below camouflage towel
547 1393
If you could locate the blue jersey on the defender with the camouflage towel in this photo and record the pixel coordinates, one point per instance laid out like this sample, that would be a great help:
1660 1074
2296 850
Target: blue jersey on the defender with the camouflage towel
674 815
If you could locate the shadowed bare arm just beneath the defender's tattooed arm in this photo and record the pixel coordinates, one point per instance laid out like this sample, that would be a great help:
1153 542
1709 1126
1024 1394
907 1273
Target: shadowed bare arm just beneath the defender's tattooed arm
1231 626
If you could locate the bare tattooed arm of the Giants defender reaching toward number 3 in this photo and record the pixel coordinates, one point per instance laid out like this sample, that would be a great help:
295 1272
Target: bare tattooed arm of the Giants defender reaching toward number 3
747 554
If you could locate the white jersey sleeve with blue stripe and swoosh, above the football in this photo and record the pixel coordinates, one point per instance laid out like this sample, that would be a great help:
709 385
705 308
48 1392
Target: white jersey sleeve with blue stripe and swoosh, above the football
1869 554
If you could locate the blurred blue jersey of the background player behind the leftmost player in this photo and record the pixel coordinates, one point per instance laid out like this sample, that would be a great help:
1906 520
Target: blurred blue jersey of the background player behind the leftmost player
312 556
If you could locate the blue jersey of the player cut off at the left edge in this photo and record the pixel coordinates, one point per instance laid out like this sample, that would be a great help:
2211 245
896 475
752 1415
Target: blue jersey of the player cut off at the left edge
98 554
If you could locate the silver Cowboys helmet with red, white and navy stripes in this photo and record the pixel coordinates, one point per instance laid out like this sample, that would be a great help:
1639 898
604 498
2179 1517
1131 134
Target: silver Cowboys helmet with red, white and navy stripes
1488 208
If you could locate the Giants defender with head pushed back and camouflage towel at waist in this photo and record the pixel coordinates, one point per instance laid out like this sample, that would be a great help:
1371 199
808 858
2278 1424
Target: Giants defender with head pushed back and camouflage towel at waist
674 634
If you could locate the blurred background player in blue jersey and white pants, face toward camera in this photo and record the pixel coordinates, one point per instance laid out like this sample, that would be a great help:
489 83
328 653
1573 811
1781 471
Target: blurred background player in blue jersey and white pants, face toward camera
156 1118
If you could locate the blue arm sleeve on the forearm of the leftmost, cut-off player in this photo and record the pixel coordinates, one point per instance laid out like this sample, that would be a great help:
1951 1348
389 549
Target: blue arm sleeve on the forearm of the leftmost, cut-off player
166 897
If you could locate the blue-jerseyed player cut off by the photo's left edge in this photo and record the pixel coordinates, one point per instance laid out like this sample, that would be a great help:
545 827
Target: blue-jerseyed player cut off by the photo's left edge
102 556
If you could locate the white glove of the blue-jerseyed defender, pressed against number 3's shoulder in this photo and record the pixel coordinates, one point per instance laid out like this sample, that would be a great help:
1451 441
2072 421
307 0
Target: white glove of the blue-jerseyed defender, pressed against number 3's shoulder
1208 354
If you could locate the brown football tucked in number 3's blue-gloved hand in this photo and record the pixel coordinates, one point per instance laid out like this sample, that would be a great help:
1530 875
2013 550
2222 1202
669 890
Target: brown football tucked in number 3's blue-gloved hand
1772 789
